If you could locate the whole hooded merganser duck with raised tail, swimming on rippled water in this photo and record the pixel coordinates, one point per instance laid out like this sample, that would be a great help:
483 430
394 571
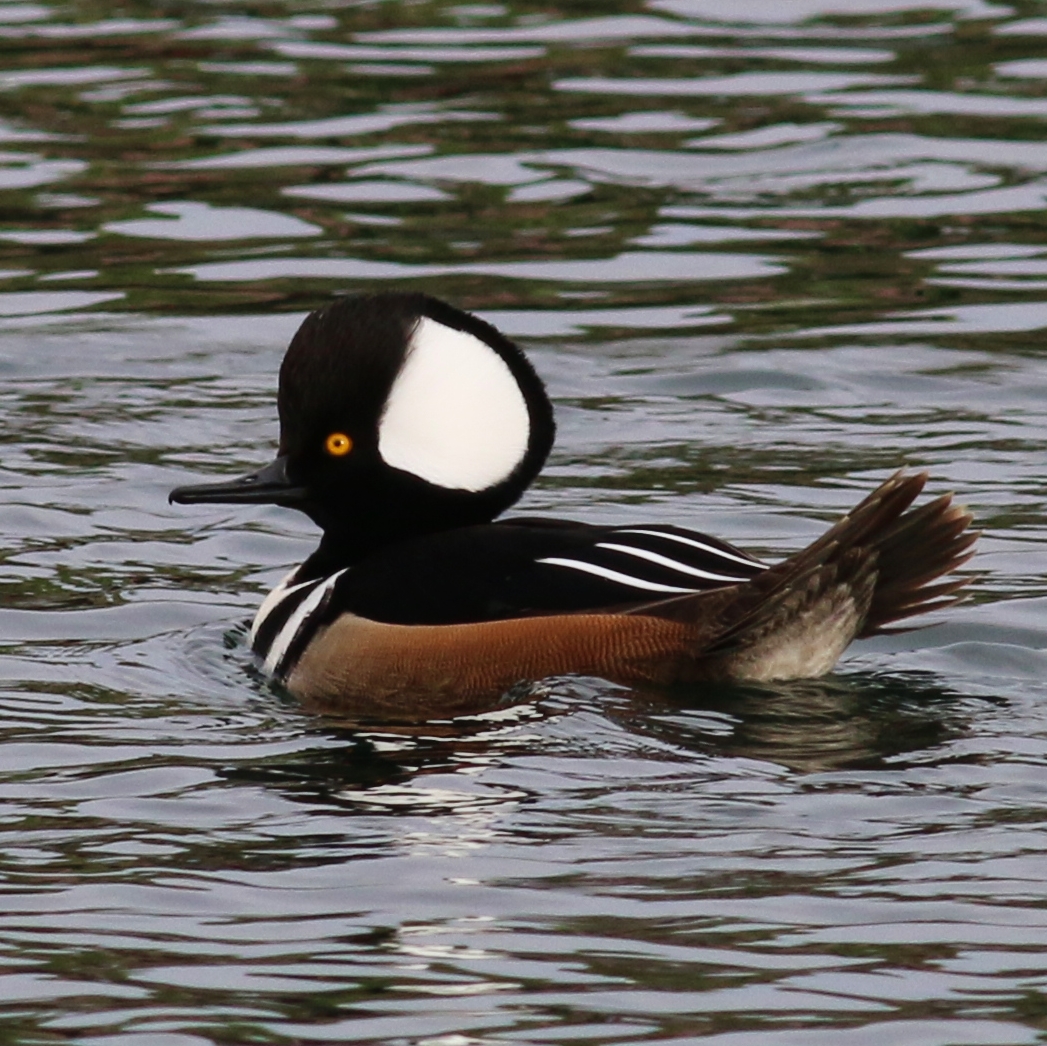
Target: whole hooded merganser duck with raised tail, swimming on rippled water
407 427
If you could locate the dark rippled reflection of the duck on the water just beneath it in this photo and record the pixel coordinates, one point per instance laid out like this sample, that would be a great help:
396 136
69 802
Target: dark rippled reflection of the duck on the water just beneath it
857 722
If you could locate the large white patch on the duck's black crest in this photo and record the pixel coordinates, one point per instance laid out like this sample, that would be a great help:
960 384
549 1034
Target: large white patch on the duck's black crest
456 416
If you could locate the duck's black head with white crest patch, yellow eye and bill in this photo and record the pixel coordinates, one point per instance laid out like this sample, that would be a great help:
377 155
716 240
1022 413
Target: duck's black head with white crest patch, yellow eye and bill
399 415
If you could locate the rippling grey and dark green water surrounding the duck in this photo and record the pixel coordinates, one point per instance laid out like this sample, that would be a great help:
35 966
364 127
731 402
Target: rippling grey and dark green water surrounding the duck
765 252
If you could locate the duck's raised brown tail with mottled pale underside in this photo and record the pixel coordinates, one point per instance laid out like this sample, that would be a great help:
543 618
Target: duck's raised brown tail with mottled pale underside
875 567
